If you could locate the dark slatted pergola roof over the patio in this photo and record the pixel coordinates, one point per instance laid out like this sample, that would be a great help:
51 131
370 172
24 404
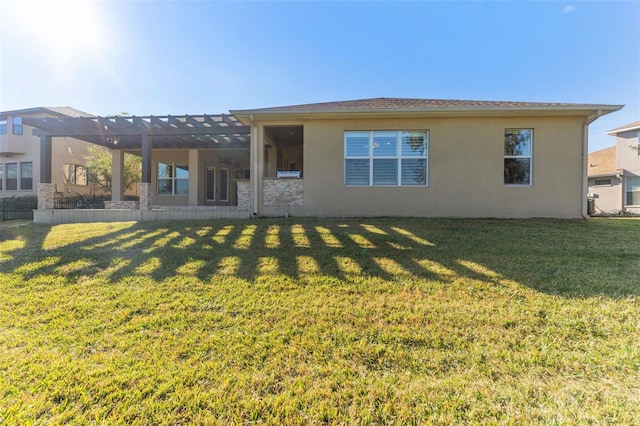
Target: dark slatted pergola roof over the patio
167 132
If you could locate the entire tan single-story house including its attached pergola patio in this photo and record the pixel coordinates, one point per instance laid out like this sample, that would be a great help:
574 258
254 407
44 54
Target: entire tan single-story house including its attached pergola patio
370 157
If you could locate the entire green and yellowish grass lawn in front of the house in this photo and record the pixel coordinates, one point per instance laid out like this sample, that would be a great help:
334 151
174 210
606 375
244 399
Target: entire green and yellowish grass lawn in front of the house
301 321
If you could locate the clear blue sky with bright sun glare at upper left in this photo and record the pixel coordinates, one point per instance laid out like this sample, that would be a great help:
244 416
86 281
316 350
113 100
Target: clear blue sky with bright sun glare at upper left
193 57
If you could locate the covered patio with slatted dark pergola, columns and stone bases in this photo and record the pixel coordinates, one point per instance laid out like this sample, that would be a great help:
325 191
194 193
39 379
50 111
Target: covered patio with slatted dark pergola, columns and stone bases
193 166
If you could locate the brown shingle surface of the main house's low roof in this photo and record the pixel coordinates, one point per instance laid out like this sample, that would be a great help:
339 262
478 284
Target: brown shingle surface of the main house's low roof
409 104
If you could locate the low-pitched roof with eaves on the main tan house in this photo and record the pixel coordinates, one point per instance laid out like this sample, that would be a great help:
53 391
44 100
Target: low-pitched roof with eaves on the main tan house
409 105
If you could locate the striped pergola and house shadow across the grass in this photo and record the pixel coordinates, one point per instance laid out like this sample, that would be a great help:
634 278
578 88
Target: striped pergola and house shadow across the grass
559 257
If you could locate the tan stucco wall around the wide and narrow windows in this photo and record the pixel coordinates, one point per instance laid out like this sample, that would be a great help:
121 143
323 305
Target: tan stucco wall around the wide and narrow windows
465 170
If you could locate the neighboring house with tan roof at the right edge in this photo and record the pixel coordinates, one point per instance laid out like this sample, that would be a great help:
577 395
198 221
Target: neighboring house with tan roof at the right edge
614 173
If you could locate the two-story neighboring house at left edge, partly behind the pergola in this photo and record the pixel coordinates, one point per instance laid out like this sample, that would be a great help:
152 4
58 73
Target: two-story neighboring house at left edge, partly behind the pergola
20 154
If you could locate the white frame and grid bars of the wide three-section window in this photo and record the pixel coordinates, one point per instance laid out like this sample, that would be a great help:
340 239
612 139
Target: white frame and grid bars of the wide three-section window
371 157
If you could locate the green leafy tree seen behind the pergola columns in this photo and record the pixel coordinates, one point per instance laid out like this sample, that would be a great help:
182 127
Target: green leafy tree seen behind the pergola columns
99 166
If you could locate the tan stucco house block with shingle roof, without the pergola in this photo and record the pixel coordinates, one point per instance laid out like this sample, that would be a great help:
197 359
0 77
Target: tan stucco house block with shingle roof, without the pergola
422 158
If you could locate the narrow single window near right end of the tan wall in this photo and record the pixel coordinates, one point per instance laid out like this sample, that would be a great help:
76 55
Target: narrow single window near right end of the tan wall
517 156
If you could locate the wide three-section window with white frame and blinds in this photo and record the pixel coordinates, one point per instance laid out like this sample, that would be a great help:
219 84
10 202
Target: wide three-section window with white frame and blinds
386 158
